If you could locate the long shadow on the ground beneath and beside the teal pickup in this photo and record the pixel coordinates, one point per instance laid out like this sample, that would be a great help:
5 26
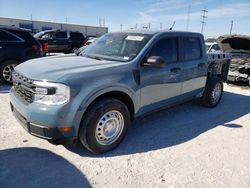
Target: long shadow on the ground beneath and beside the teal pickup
177 125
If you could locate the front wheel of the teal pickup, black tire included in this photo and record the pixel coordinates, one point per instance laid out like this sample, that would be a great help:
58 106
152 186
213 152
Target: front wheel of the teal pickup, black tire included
90 125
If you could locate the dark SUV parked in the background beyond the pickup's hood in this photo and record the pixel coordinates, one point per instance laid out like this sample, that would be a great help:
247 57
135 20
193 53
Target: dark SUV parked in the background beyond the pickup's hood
61 41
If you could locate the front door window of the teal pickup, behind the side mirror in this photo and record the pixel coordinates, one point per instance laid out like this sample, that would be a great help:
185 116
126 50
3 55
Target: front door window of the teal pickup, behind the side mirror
166 48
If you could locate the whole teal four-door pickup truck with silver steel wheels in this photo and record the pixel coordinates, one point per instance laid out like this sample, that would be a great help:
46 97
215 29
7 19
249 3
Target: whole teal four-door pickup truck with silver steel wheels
94 96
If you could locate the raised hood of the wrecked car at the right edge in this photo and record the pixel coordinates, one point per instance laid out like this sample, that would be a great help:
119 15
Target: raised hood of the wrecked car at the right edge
234 43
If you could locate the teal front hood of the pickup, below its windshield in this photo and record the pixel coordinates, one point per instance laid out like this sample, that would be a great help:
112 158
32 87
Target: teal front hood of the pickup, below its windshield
55 67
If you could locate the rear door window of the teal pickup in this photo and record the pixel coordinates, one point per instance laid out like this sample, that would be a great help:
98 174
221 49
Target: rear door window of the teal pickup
191 48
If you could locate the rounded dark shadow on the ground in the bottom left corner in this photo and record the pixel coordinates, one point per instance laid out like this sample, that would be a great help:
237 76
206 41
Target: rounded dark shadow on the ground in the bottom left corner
33 167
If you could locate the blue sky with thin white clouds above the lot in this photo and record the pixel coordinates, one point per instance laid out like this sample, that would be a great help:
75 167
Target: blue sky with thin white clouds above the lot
187 15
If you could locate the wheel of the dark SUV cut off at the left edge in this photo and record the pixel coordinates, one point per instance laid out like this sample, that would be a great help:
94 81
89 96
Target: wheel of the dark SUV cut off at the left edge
6 69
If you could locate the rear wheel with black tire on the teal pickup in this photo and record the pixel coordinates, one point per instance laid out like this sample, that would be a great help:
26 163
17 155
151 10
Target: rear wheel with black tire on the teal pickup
210 98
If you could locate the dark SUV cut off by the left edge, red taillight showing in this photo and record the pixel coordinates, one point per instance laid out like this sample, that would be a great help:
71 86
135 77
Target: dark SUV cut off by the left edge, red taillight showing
16 46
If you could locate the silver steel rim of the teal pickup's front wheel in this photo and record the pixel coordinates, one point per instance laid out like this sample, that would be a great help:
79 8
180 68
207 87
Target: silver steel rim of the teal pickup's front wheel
109 127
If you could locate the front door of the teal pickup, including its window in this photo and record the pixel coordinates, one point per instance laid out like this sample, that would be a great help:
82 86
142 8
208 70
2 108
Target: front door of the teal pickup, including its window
161 86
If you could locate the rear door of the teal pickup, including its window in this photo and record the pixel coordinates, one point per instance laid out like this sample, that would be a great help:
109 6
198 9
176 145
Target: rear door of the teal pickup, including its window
194 65
